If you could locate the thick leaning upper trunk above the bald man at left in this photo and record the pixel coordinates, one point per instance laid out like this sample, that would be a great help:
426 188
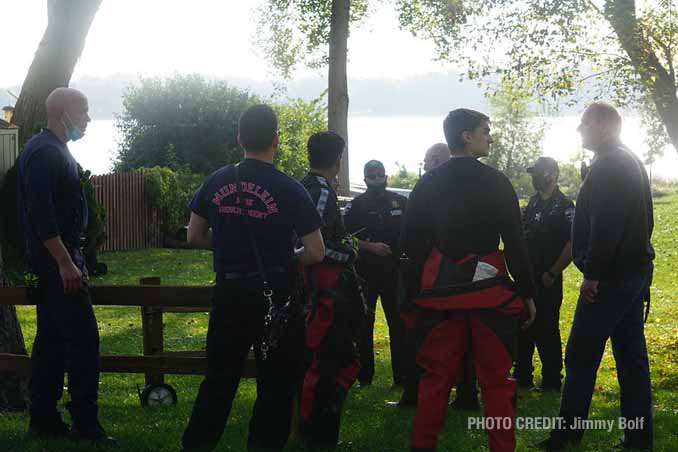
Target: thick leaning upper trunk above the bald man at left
68 22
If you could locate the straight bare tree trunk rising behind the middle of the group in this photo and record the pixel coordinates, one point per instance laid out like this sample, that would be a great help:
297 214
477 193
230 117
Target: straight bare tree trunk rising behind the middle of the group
337 111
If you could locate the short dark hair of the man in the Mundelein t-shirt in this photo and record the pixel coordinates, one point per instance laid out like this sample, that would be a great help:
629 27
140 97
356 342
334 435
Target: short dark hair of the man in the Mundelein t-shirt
257 128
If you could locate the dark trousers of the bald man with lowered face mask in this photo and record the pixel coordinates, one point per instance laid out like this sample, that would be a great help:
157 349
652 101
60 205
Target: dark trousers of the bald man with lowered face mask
67 340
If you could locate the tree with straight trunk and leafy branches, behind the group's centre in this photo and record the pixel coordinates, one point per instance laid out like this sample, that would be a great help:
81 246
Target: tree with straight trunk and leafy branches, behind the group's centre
314 33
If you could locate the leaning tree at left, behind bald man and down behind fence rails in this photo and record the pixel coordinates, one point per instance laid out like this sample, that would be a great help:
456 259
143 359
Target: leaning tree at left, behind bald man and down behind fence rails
68 22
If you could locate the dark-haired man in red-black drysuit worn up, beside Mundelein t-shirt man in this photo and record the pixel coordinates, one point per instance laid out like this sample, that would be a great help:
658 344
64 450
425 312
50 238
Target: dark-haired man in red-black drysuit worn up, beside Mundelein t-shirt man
337 308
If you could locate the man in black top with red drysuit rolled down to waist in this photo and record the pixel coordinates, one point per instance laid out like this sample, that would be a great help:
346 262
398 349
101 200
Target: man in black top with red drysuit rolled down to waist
456 216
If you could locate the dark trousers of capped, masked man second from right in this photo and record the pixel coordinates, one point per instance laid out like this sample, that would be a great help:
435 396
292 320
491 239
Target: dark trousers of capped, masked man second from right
544 333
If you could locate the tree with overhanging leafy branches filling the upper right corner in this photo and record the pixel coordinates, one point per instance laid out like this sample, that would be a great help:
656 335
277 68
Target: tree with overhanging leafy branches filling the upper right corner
563 50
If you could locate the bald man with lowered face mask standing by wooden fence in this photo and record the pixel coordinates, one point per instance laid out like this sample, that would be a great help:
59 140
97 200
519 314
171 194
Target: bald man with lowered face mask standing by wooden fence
54 219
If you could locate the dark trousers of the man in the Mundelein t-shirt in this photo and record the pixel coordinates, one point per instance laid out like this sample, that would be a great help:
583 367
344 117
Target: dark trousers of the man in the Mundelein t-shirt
236 323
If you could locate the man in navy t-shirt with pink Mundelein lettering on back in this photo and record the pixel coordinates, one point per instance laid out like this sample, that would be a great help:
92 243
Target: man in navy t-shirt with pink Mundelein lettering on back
241 212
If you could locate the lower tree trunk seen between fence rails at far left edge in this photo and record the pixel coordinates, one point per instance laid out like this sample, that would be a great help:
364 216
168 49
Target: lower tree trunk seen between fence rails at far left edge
13 389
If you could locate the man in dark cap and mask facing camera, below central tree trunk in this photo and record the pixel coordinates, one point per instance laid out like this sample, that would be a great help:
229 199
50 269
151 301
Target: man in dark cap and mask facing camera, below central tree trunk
375 217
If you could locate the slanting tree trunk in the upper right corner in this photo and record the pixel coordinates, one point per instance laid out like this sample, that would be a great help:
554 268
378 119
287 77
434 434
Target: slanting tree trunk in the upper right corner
658 80
